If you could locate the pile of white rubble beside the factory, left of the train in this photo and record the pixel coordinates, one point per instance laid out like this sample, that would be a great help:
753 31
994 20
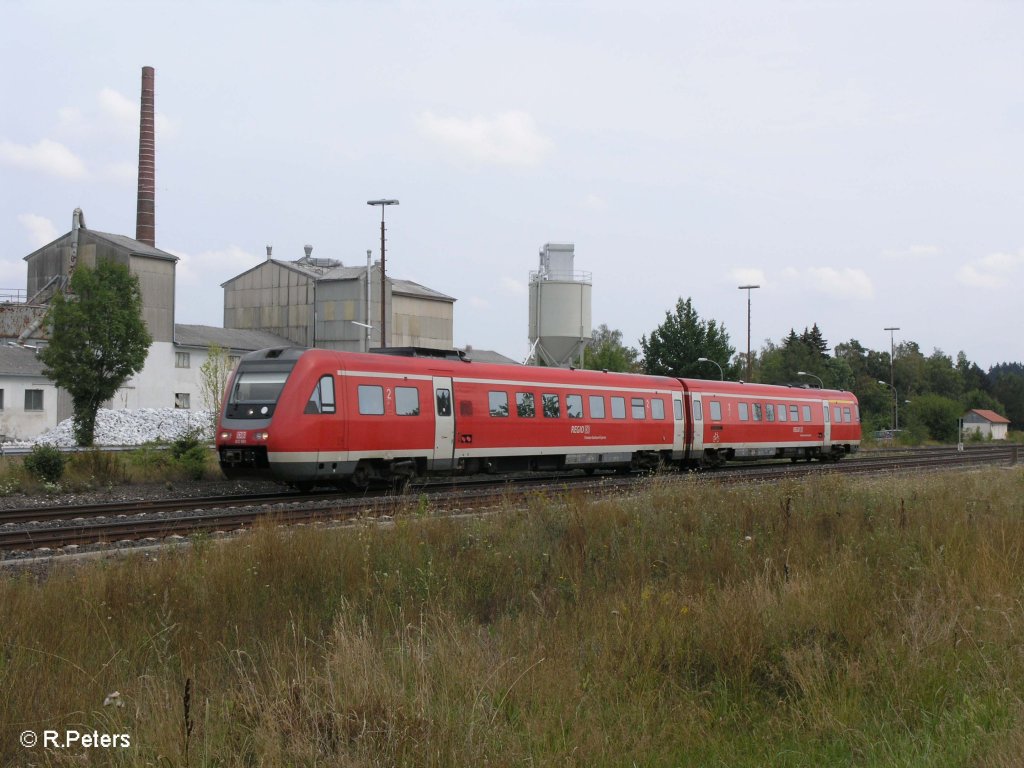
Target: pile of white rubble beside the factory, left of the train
133 428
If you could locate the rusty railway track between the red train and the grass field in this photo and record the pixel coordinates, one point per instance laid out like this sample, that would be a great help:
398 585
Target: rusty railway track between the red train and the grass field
49 529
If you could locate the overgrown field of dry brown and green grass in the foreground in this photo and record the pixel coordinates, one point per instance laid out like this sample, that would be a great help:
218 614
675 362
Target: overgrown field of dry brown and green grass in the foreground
826 622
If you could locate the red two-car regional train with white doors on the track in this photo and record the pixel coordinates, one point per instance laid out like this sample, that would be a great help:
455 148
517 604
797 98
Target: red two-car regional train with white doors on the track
309 417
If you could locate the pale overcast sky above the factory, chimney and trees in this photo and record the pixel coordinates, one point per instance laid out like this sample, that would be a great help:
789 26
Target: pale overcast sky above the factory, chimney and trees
864 162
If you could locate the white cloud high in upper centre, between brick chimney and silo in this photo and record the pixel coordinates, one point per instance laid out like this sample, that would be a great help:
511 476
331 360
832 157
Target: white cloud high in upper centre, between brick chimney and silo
511 139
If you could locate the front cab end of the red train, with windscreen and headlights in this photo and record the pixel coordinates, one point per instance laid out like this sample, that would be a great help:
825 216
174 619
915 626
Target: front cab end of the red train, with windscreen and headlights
252 415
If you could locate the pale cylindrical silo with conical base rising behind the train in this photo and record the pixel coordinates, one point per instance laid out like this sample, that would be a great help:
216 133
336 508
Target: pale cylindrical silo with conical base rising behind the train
560 308
